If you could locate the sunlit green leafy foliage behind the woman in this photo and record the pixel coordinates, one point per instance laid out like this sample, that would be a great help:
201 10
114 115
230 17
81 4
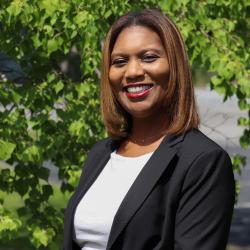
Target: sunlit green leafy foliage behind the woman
51 118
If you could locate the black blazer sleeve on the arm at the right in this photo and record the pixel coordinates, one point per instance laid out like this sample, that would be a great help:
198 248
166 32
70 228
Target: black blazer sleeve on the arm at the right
206 204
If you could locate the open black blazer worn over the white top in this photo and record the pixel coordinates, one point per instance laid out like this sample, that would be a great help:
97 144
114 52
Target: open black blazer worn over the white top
182 199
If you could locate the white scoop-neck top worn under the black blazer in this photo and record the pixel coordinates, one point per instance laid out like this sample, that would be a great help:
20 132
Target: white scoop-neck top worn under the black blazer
95 212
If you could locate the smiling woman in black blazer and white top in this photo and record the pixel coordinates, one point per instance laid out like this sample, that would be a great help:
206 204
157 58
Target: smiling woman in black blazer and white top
157 182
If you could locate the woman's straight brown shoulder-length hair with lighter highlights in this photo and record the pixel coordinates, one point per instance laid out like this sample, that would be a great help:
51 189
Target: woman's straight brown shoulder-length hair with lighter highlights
182 112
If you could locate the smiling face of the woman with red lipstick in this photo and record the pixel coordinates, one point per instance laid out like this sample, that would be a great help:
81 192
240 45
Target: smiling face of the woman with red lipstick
139 72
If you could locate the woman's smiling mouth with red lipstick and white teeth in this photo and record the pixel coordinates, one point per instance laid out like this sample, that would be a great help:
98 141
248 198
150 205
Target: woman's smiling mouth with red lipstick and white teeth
138 90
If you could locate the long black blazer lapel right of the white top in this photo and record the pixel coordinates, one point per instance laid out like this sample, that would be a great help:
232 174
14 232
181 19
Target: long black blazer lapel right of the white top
143 185
